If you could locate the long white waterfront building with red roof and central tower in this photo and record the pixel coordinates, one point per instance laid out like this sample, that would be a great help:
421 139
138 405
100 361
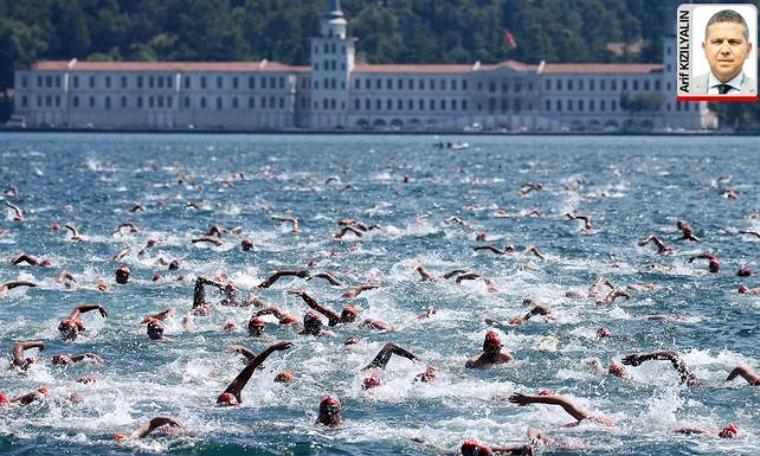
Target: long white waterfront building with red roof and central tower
336 92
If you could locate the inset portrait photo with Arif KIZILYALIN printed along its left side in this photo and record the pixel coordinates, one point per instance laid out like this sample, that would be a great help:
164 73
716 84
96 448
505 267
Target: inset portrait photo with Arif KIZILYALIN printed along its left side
717 55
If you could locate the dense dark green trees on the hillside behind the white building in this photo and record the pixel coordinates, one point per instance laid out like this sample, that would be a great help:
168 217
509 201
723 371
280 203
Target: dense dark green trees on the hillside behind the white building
400 31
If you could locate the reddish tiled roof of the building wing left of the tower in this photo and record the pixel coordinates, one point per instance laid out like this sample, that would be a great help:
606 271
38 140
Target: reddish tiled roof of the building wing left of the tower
74 65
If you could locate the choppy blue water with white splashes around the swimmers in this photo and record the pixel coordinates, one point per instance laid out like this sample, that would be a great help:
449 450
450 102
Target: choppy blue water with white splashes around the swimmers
649 183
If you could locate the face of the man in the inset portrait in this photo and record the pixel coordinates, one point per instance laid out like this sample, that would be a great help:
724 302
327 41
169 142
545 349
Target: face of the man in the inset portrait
726 49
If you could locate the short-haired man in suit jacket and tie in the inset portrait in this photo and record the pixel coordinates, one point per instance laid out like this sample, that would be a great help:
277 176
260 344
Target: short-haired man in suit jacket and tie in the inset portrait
726 47
